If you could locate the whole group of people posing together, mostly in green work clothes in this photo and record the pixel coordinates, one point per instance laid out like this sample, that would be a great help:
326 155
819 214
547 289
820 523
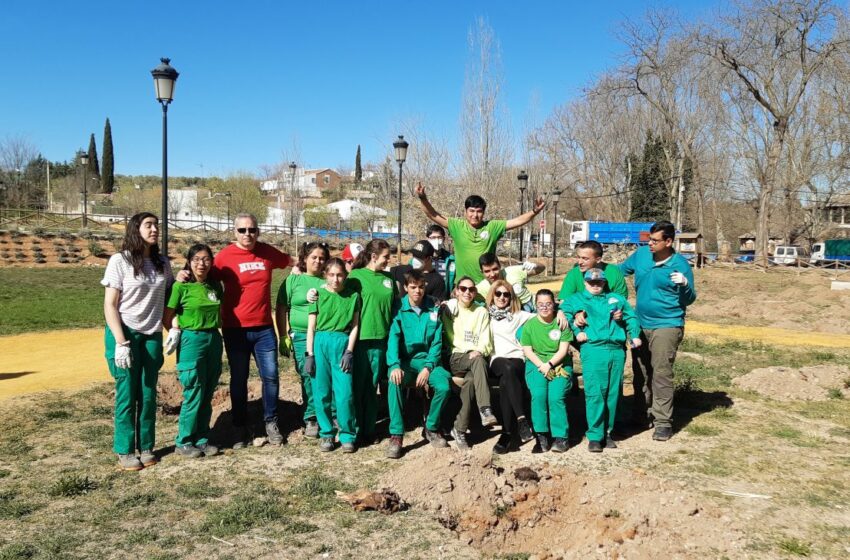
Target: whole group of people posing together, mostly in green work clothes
362 336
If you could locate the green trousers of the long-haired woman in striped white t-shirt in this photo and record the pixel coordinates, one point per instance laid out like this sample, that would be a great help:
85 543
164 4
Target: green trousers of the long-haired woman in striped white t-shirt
135 390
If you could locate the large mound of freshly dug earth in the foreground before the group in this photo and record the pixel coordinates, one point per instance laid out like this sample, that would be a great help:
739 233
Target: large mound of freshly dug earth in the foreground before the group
503 510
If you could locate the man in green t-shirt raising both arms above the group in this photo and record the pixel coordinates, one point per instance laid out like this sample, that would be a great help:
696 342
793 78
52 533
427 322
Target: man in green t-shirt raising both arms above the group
472 235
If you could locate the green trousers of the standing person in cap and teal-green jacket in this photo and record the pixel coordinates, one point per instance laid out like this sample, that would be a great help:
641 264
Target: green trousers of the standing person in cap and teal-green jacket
602 369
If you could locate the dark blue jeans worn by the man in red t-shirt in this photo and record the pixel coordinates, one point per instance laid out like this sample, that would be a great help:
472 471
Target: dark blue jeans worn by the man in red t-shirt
240 344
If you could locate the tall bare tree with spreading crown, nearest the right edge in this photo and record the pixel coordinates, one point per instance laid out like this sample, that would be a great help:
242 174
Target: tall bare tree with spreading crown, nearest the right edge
772 50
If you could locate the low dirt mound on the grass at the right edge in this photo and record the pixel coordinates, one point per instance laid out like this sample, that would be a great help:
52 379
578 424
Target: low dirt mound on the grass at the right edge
813 383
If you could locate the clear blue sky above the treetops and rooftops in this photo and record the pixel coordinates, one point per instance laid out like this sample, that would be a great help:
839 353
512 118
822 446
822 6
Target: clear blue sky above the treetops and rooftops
258 77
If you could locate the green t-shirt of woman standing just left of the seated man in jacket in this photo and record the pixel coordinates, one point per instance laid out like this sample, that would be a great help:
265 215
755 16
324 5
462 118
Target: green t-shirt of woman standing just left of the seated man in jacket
377 293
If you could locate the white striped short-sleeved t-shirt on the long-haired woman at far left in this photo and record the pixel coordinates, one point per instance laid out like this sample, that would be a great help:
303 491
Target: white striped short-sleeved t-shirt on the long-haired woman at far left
142 297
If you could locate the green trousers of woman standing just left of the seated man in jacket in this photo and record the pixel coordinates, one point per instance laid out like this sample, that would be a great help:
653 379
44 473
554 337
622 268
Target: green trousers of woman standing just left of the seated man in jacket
370 367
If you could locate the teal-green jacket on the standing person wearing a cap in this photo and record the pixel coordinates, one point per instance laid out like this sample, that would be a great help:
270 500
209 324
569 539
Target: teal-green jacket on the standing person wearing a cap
601 328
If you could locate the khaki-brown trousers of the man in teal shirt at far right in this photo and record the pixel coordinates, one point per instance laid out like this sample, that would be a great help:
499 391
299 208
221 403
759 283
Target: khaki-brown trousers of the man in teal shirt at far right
653 373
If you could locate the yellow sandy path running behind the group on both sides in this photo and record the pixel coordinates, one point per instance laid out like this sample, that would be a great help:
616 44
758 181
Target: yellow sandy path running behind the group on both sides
72 359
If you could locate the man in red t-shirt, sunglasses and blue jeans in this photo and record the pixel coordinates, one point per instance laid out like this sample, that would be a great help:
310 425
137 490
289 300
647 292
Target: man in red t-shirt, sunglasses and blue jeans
245 268
